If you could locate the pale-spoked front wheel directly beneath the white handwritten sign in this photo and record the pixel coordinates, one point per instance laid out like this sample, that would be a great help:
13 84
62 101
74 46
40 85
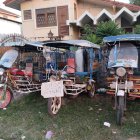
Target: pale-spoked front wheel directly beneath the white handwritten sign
54 104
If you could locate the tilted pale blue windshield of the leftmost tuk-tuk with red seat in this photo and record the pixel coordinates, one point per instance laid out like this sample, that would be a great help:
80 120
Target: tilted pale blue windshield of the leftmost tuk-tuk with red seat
8 58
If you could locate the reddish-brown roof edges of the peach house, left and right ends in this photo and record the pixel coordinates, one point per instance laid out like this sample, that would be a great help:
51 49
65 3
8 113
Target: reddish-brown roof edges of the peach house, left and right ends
16 4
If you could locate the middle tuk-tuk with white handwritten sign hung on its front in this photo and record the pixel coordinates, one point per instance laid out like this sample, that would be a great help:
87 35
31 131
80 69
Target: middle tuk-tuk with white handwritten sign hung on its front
70 67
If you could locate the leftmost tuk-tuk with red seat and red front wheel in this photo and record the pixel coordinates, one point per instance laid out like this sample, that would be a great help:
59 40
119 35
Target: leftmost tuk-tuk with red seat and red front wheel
19 68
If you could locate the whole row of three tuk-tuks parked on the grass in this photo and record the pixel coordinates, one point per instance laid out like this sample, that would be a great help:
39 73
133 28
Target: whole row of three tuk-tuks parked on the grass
59 68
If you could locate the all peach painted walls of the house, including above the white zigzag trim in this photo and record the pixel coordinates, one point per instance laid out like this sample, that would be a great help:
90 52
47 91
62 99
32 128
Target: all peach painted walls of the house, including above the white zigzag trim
76 8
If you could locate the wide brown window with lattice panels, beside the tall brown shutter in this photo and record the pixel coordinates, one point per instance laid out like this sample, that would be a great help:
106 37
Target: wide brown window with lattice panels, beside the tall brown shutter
46 17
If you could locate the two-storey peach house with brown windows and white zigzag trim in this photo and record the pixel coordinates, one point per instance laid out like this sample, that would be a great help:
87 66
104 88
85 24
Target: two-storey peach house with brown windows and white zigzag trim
67 17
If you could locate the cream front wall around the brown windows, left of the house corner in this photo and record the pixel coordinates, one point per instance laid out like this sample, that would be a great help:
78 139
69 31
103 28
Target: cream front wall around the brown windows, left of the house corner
29 26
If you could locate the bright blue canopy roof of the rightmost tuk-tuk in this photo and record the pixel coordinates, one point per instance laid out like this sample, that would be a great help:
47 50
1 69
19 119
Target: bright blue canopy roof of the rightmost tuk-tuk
125 37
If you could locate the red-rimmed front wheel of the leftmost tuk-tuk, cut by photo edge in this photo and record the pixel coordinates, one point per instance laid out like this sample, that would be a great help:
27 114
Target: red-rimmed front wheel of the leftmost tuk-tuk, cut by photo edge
5 98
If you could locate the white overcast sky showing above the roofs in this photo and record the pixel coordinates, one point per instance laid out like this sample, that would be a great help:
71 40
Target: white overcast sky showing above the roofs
17 12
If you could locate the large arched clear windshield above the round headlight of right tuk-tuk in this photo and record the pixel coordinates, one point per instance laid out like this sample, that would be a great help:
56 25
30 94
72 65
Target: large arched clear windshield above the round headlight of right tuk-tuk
123 55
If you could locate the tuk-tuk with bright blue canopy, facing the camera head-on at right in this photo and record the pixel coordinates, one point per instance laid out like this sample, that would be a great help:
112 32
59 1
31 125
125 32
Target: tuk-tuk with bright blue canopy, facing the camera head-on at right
123 68
